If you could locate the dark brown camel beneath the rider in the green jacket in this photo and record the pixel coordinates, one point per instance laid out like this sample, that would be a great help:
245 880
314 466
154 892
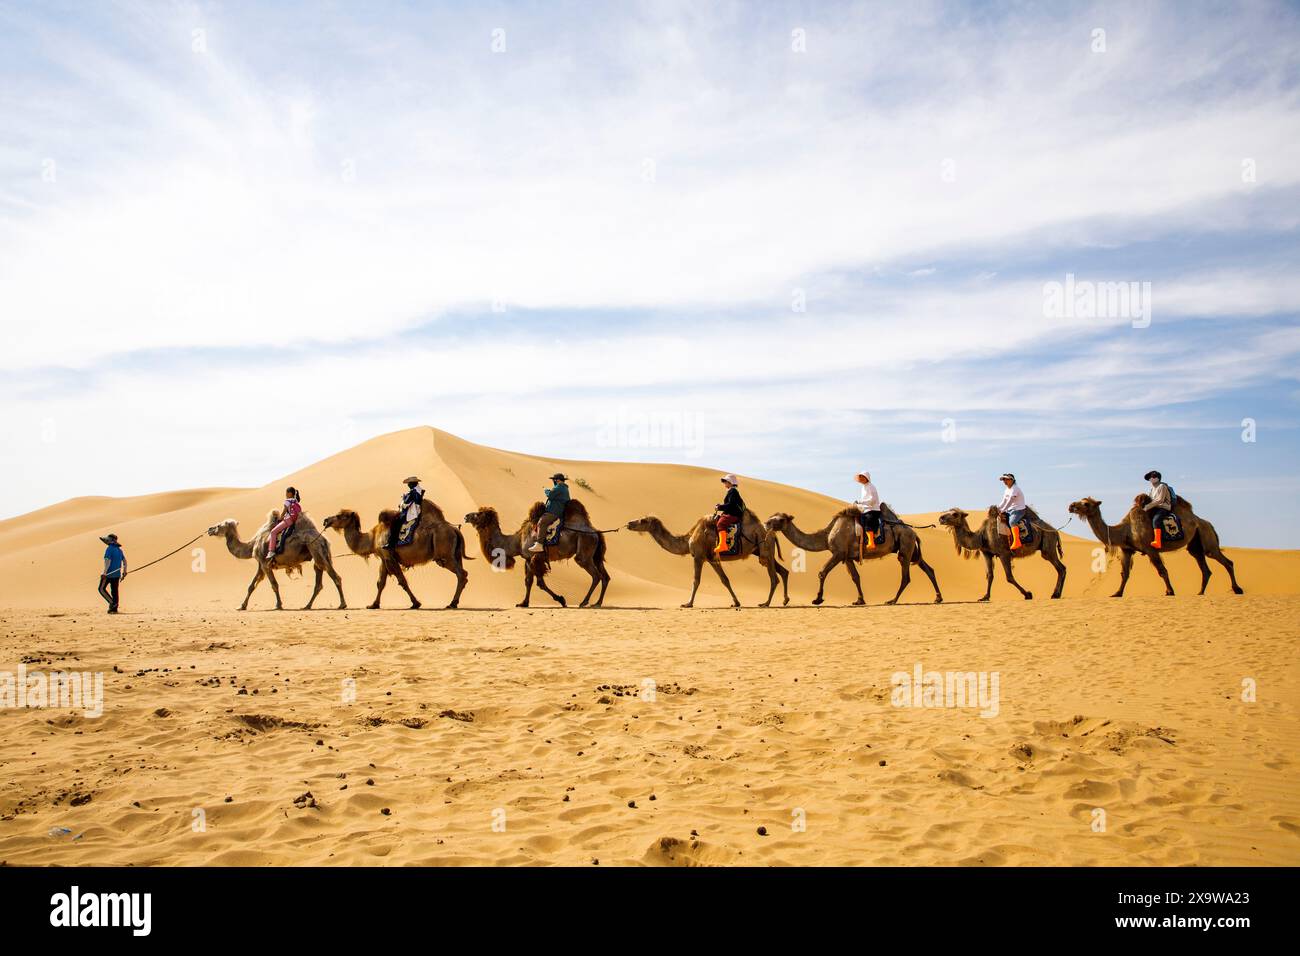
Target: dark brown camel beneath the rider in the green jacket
579 540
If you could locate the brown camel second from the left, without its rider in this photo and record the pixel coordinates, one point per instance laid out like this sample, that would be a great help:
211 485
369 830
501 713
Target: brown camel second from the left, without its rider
435 540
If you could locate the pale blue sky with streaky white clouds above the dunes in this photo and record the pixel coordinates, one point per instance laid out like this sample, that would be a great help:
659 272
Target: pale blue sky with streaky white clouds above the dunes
794 241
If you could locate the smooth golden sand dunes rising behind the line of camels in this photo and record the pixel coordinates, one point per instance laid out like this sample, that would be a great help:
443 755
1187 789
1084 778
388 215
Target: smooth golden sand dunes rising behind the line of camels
51 557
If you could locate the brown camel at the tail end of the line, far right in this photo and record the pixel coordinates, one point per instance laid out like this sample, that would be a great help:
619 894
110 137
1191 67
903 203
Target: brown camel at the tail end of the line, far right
1134 534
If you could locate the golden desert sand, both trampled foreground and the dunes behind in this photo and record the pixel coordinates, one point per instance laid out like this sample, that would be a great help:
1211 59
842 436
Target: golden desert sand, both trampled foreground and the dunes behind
640 733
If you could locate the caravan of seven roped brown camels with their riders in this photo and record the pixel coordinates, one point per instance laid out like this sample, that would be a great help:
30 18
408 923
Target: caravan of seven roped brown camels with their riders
560 529
